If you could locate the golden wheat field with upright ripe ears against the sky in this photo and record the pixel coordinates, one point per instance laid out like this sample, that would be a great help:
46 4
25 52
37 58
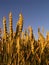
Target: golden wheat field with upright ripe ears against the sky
20 47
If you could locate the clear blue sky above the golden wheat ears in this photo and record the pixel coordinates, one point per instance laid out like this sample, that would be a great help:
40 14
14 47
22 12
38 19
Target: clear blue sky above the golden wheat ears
35 13
